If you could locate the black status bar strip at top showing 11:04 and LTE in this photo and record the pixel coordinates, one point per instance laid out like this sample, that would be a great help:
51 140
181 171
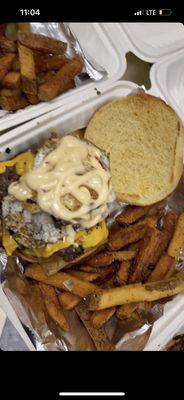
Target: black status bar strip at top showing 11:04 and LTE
84 12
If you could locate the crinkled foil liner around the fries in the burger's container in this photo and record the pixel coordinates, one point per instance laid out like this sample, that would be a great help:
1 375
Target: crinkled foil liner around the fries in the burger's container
25 297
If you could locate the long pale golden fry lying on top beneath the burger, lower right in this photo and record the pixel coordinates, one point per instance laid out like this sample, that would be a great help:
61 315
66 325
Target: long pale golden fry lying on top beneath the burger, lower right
136 293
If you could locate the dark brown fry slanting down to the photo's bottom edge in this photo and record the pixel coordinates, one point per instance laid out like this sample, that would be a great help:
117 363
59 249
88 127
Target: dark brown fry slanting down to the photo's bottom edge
98 336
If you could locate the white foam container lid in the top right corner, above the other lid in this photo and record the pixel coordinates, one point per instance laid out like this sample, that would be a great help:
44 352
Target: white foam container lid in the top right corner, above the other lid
149 41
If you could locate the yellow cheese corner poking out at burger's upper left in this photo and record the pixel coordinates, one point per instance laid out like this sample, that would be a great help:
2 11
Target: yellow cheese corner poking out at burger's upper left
23 163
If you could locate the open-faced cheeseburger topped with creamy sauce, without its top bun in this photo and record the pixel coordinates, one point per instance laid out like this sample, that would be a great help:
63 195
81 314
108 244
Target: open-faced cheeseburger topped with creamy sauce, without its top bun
56 201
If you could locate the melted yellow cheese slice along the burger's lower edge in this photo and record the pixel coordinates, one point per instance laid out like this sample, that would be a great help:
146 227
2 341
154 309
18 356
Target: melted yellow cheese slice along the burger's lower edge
88 239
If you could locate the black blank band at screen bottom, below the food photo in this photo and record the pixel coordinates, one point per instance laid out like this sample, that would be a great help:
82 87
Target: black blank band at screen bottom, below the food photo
140 375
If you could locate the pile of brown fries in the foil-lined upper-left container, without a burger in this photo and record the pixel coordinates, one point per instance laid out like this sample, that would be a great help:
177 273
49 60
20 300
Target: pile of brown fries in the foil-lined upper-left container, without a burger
33 68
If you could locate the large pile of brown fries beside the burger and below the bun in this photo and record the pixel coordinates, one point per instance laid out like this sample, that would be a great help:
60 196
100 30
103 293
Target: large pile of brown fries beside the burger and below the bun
135 268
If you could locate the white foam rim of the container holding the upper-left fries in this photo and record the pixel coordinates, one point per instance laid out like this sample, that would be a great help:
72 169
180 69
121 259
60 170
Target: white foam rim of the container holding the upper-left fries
99 48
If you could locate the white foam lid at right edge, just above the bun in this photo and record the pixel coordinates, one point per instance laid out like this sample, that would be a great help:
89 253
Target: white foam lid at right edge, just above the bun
167 80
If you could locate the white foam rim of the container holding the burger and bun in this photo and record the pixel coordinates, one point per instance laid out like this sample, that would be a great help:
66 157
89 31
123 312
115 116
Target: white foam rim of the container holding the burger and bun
63 123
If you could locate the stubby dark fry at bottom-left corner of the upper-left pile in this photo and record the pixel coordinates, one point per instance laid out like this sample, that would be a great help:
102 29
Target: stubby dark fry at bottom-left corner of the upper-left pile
13 103
